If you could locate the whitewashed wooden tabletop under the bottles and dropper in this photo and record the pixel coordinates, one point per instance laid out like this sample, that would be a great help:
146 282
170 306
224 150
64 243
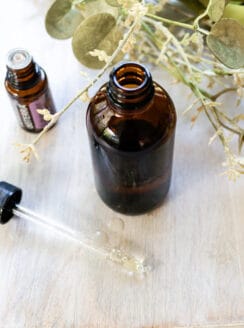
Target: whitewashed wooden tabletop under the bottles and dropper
195 240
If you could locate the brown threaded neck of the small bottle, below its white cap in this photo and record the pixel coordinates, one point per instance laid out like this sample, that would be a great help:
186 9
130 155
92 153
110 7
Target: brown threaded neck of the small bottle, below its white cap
25 78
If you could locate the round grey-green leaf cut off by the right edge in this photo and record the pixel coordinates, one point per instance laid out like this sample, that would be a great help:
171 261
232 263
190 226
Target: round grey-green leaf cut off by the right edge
226 41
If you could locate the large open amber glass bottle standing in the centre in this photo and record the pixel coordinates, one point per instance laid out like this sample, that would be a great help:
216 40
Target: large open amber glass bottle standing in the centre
131 126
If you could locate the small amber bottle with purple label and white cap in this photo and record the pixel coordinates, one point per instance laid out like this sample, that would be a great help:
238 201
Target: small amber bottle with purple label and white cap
27 85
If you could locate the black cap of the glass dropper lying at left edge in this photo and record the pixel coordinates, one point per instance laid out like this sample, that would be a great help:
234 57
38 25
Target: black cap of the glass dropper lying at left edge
9 197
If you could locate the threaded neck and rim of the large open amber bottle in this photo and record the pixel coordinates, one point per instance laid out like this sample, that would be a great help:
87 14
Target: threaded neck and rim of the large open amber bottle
130 86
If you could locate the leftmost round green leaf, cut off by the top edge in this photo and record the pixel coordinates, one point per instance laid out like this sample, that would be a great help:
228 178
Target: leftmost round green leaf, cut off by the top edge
62 19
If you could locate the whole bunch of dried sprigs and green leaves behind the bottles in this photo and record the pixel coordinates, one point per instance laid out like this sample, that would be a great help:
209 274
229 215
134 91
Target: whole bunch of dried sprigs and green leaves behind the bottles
176 45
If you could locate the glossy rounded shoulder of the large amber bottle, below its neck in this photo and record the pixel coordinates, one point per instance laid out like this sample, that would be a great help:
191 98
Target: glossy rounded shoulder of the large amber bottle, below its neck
131 130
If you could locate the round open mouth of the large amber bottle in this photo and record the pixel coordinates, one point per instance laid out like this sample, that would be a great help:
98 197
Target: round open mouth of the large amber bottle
130 76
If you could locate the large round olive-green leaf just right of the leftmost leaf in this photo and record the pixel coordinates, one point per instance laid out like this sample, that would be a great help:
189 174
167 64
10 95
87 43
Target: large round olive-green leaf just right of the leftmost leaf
95 32
